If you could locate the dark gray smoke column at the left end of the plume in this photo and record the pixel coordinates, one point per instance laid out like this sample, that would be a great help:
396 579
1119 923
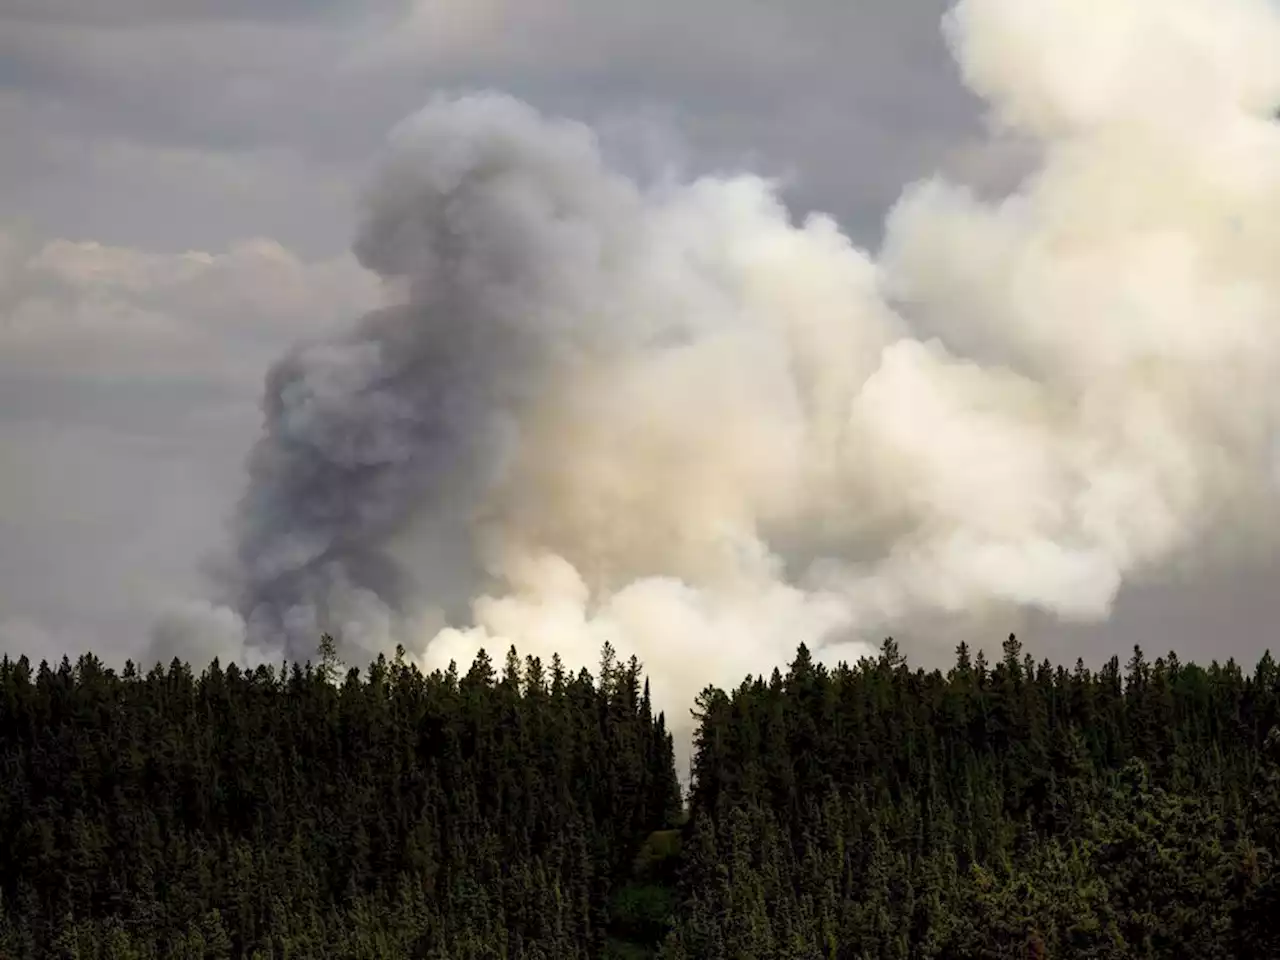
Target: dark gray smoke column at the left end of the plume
495 226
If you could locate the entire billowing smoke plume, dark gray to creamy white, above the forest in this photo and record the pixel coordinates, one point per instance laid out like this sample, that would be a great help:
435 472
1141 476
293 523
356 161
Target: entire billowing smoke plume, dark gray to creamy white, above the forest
676 420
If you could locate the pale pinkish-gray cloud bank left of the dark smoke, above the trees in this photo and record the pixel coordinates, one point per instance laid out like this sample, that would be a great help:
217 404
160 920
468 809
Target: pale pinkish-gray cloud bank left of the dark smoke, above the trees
129 387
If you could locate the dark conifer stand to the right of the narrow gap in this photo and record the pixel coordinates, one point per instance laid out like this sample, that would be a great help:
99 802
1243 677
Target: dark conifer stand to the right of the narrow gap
1018 811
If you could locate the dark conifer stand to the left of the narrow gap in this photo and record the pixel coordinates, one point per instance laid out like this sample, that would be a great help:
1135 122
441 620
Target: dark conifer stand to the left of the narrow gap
291 813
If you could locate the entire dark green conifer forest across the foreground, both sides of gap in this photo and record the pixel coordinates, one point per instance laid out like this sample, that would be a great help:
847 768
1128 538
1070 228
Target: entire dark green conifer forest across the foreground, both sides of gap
999 810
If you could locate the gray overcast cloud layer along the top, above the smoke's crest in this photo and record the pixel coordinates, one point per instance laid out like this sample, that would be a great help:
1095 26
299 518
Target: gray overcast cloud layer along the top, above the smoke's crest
843 98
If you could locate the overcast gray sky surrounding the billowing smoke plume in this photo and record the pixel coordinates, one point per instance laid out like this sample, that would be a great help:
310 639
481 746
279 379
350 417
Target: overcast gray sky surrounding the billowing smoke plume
179 190
